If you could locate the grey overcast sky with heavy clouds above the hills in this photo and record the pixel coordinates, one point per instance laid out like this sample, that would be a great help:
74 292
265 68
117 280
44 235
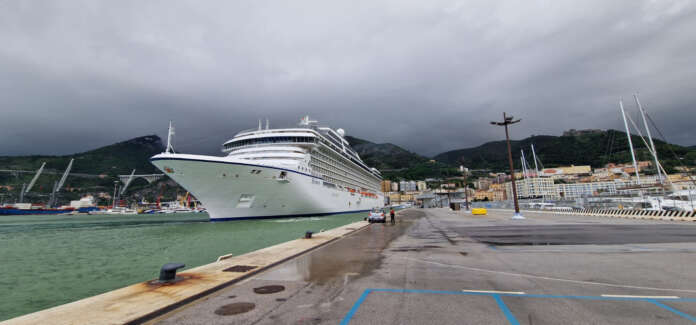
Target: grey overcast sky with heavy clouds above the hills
425 75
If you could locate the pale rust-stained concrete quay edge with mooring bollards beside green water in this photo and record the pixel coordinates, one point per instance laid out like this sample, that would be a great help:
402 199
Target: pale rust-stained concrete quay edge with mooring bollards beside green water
145 300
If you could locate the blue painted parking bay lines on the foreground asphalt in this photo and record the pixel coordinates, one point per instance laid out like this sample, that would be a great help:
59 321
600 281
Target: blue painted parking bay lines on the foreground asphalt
511 318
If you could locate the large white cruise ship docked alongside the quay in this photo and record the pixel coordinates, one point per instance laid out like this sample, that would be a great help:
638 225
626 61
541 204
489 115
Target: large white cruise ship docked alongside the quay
308 170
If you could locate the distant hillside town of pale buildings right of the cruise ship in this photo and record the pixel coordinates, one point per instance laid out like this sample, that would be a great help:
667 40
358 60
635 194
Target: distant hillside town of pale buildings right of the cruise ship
559 183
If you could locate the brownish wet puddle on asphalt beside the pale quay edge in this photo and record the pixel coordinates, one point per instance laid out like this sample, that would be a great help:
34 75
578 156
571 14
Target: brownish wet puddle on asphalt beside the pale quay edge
356 255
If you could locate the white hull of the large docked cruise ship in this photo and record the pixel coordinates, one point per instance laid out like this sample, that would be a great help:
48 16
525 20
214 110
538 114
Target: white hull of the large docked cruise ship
236 189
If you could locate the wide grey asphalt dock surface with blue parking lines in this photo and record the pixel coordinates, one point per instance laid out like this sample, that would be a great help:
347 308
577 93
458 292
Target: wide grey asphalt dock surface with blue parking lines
437 266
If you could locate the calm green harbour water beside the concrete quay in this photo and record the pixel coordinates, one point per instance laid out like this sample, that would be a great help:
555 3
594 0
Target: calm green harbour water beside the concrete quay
51 260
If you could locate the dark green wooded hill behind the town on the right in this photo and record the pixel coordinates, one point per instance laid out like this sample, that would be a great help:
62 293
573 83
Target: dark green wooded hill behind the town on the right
578 148
